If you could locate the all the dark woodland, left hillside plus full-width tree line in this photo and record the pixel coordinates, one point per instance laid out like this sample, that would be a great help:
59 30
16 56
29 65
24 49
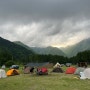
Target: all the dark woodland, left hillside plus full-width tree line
10 51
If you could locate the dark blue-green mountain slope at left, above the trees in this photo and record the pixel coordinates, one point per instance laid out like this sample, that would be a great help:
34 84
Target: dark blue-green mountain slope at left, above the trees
17 51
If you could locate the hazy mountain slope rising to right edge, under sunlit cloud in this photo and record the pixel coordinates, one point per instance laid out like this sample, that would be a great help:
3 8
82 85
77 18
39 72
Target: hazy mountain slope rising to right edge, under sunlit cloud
79 47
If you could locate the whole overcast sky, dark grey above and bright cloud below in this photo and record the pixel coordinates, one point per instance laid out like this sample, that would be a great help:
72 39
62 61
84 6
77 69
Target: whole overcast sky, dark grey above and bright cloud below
45 22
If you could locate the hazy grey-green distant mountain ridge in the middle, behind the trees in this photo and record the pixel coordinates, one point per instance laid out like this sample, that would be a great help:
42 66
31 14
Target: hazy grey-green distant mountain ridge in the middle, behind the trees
43 50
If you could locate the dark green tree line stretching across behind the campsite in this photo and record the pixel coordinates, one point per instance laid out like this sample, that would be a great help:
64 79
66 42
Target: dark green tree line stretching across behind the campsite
7 58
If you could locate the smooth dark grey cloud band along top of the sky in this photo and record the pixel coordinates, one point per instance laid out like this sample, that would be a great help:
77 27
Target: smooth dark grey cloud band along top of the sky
43 9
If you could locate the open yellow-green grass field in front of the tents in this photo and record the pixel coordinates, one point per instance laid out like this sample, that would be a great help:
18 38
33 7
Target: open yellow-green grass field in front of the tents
52 81
